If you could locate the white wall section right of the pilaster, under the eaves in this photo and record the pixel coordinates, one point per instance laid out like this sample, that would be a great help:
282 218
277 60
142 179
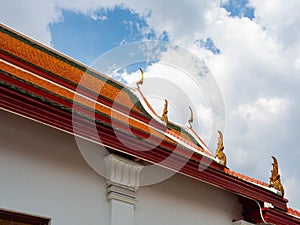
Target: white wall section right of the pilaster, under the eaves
182 200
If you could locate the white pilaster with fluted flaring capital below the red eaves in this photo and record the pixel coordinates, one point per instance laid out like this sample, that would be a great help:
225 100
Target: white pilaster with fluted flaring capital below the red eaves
122 184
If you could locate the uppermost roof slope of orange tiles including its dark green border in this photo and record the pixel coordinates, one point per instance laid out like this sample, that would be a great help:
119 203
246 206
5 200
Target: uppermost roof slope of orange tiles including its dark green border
64 71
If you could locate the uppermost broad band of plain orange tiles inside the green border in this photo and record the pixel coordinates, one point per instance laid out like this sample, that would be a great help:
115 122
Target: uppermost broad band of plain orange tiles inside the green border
63 69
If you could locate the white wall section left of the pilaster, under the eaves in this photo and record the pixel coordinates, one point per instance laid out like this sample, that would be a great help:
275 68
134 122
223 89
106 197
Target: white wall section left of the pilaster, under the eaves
42 172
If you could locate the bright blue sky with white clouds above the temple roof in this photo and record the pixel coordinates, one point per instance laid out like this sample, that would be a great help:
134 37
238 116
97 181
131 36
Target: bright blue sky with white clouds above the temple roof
251 47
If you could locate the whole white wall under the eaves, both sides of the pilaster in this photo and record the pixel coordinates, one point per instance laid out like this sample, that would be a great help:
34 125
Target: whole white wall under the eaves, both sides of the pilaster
42 172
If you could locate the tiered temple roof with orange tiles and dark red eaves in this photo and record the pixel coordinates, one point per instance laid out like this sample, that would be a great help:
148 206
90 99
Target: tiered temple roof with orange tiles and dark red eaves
49 87
